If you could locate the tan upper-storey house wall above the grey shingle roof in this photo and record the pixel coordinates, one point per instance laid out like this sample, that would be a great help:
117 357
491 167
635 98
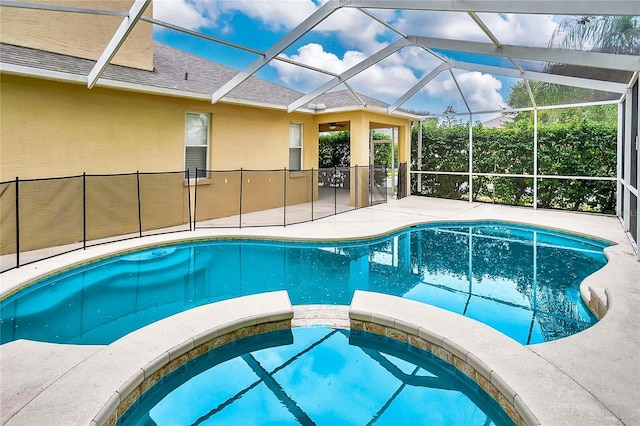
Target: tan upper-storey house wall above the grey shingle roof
78 34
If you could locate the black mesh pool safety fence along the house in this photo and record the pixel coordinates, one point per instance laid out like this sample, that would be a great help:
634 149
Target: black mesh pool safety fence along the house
43 218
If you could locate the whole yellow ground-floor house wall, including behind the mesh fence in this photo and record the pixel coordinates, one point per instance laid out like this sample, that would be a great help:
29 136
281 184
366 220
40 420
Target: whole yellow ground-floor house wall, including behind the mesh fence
55 129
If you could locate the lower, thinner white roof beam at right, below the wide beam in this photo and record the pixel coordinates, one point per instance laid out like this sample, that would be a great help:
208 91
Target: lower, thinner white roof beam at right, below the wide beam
585 83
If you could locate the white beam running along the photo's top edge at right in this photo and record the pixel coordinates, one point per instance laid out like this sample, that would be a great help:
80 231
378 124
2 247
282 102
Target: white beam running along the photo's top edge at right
535 7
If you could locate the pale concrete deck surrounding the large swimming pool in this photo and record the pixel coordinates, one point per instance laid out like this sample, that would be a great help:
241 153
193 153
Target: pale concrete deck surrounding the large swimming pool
589 378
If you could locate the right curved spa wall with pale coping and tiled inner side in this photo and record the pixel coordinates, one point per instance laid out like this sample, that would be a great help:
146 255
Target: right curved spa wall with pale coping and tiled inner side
453 338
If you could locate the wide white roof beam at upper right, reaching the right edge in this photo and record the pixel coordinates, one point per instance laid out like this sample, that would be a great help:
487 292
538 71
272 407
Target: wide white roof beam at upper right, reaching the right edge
543 54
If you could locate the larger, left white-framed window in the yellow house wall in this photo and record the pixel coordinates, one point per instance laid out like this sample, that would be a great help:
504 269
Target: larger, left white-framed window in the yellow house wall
196 141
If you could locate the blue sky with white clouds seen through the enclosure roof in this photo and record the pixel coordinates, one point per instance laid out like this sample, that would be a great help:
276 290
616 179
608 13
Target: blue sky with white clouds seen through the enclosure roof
347 37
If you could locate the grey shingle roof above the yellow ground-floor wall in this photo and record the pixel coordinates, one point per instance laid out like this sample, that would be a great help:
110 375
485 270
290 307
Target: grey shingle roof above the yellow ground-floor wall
177 70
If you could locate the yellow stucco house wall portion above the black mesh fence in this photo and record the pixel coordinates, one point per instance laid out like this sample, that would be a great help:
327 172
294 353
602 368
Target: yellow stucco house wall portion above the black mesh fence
52 129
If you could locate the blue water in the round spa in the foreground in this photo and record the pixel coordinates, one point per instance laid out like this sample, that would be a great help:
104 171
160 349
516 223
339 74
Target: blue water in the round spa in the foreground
316 376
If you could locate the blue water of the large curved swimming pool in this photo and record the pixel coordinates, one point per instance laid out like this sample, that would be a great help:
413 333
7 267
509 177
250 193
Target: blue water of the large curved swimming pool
523 281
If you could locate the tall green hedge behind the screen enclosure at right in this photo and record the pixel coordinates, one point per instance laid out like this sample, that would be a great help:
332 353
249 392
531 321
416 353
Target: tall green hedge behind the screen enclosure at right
580 148
